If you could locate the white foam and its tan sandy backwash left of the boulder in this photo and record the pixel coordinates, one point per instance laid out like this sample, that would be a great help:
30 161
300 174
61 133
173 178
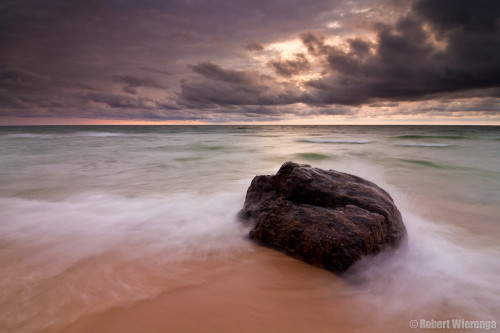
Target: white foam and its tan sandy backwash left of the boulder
97 250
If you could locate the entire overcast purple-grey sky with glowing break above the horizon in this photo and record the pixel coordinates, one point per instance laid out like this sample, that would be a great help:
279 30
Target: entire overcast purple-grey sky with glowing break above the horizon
230 61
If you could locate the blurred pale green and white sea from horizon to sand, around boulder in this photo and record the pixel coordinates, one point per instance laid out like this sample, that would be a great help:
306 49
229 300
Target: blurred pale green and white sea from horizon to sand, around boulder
100 217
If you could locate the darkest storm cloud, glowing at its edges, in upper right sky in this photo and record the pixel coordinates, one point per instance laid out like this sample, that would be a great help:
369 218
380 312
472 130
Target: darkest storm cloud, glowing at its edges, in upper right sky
406 64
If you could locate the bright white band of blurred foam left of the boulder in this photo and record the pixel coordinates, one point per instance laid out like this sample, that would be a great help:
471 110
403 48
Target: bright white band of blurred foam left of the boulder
181 221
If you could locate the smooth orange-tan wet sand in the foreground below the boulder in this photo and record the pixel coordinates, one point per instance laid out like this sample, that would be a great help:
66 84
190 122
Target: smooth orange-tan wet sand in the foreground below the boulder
258 291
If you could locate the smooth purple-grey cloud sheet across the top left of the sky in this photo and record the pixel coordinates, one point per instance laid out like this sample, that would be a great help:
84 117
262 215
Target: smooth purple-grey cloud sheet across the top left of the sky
63 32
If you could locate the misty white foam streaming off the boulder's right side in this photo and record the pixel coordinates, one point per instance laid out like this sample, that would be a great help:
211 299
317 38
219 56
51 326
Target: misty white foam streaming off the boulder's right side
443 265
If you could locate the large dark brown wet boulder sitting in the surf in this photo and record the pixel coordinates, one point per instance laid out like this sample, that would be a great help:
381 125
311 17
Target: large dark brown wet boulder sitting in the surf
327 218
